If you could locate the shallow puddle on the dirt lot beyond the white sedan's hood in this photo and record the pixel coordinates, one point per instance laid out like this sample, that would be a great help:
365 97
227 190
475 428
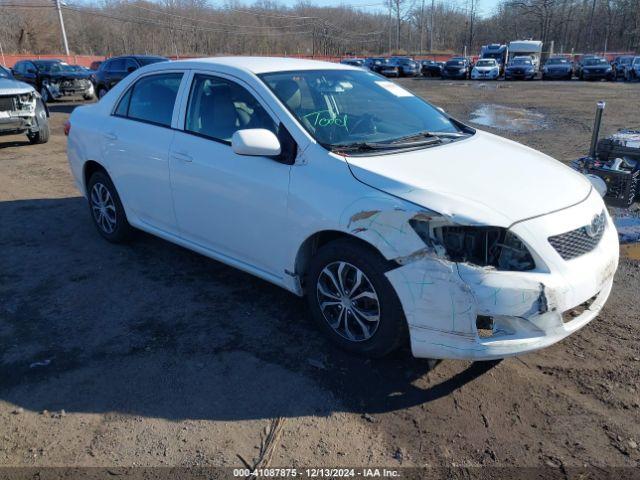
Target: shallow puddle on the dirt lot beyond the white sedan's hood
508 118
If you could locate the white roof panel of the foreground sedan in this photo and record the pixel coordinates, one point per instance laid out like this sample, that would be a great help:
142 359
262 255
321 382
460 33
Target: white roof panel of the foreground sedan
258 65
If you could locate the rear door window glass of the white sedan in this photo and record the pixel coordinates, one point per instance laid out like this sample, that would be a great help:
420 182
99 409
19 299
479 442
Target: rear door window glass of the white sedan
151 99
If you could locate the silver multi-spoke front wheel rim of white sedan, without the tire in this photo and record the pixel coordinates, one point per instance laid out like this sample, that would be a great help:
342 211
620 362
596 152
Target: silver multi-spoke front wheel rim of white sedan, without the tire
348 301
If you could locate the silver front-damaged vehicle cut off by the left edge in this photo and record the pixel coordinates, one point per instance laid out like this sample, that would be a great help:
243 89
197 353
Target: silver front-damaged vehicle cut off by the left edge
21 109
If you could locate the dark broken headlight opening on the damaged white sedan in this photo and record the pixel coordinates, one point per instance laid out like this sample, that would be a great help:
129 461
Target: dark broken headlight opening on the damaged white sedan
483 246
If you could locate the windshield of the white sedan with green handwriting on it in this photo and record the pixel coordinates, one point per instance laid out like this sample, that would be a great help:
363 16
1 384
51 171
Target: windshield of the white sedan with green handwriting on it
340 107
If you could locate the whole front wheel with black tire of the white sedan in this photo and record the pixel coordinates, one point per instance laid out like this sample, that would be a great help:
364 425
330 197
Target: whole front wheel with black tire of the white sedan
352 300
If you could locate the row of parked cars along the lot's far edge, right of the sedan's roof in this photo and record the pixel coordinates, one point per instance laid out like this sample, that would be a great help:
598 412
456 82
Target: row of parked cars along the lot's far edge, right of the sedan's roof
589 67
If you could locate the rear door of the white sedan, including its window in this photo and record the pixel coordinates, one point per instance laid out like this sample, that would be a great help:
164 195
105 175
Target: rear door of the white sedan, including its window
137 139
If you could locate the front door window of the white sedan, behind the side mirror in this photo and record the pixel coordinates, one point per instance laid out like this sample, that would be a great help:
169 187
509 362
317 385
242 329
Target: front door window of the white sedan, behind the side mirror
218 108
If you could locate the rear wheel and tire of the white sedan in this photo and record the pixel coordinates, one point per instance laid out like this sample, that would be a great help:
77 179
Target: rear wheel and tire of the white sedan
106 209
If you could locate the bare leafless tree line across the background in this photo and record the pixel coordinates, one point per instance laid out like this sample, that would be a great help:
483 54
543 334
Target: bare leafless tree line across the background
266 27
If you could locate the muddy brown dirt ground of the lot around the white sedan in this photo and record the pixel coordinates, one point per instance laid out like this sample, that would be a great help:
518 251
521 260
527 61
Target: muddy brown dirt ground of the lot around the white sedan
149 354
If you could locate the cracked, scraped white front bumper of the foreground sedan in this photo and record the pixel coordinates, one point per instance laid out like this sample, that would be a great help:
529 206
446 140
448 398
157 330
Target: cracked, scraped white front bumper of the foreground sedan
464 311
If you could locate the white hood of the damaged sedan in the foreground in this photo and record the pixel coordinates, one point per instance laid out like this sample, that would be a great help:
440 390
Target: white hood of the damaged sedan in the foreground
482 180
